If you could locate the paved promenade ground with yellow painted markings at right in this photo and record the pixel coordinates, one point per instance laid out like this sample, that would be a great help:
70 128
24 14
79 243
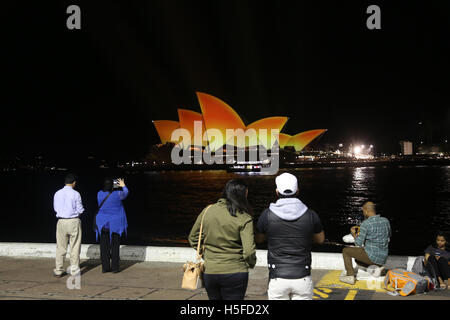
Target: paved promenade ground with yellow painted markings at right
32 278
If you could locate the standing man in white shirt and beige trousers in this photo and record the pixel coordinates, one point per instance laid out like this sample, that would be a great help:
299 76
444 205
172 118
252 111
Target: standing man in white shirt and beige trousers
68 207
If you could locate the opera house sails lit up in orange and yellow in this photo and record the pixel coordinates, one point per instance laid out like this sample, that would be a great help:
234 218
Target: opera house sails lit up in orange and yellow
219 118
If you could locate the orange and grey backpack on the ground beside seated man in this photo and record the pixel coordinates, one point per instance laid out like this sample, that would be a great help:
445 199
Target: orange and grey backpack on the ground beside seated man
406 283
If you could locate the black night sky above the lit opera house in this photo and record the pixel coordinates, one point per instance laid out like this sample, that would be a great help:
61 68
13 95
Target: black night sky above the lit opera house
94 91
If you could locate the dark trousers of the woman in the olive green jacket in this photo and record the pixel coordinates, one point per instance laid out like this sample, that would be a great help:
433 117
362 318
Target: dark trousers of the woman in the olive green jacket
230 286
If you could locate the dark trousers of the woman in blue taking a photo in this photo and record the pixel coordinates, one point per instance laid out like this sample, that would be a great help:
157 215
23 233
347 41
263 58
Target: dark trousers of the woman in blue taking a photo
109 251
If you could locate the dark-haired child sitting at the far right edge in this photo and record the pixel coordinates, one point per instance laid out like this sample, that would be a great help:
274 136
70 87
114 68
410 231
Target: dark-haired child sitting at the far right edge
438 257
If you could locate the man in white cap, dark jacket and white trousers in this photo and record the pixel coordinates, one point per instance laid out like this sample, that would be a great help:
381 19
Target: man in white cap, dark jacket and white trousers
290 228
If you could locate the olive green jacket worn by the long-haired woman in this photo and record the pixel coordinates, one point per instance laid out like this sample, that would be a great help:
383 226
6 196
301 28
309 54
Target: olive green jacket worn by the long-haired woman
228 241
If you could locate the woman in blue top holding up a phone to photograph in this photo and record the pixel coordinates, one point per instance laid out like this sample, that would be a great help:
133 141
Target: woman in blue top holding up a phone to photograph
111 222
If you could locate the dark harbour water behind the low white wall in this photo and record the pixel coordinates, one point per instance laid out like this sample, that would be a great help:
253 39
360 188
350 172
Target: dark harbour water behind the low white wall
162 206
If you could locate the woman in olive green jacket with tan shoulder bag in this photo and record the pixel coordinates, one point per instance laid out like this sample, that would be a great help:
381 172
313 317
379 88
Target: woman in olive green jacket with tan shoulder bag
228 243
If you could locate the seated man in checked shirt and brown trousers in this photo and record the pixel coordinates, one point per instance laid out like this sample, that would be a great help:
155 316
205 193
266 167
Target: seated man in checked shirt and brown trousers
371 244
